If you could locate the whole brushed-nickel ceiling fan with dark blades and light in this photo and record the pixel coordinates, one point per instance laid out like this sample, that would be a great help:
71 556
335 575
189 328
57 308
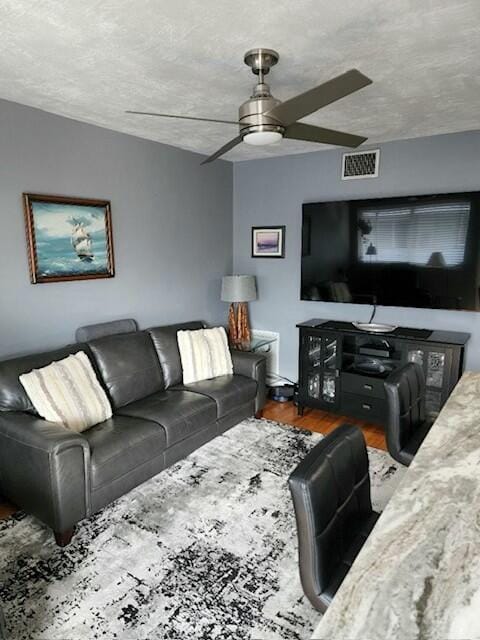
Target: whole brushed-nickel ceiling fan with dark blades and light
264 120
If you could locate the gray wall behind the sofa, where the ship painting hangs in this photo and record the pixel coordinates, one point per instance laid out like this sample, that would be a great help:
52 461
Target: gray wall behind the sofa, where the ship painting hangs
172 228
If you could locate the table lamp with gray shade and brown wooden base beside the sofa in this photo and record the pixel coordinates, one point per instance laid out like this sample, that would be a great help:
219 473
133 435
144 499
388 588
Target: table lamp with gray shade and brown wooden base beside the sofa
238 290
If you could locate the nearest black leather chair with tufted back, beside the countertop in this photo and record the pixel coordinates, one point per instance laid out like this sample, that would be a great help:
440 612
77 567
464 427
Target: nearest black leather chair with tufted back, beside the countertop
331 496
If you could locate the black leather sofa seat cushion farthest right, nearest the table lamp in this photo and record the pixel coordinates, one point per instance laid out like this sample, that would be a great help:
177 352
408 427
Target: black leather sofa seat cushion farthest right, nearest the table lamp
228 392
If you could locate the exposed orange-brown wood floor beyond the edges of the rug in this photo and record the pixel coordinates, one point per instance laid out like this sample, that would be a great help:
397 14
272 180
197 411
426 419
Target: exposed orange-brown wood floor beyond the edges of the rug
313 420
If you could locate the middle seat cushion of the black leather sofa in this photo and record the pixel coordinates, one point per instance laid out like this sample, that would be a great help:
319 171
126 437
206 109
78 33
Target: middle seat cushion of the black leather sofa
180 413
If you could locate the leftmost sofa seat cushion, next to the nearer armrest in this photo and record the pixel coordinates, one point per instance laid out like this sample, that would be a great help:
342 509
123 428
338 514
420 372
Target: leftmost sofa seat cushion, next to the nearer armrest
120 445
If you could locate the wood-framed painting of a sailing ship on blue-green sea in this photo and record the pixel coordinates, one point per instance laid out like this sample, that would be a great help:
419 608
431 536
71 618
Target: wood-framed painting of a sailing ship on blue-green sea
68 238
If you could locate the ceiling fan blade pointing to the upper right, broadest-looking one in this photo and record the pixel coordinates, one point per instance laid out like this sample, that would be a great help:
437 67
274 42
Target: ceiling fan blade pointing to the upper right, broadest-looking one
305 103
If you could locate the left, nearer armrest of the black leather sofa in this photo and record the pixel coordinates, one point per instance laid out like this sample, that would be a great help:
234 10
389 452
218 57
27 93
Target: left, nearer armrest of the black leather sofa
44 469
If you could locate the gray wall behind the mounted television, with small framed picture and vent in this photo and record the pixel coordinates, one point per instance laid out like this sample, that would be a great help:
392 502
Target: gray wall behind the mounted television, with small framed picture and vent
272 191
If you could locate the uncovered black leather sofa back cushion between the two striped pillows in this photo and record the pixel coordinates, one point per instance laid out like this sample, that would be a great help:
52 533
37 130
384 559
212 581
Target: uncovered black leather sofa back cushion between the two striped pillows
128 365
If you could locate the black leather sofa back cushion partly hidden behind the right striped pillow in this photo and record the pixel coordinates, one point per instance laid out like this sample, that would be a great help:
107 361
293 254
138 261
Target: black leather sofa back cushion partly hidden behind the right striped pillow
166 345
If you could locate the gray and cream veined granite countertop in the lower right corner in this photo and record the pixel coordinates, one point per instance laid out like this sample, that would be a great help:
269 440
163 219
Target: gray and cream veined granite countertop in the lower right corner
418 575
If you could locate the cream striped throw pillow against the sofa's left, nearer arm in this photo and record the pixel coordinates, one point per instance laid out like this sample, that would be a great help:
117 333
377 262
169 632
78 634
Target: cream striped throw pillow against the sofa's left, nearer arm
68 392
